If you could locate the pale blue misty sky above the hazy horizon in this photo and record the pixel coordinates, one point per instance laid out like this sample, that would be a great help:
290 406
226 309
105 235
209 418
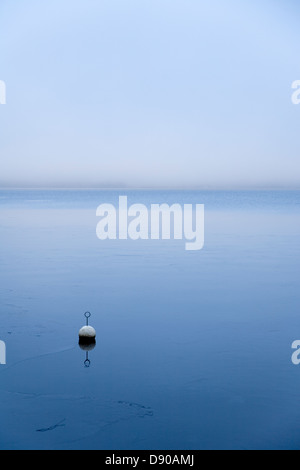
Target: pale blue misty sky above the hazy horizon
173 93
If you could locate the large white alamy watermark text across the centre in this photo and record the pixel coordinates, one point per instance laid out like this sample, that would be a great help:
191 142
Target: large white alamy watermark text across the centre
161 221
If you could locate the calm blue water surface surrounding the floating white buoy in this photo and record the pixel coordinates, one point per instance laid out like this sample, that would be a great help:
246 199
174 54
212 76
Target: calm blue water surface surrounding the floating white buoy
193 348
